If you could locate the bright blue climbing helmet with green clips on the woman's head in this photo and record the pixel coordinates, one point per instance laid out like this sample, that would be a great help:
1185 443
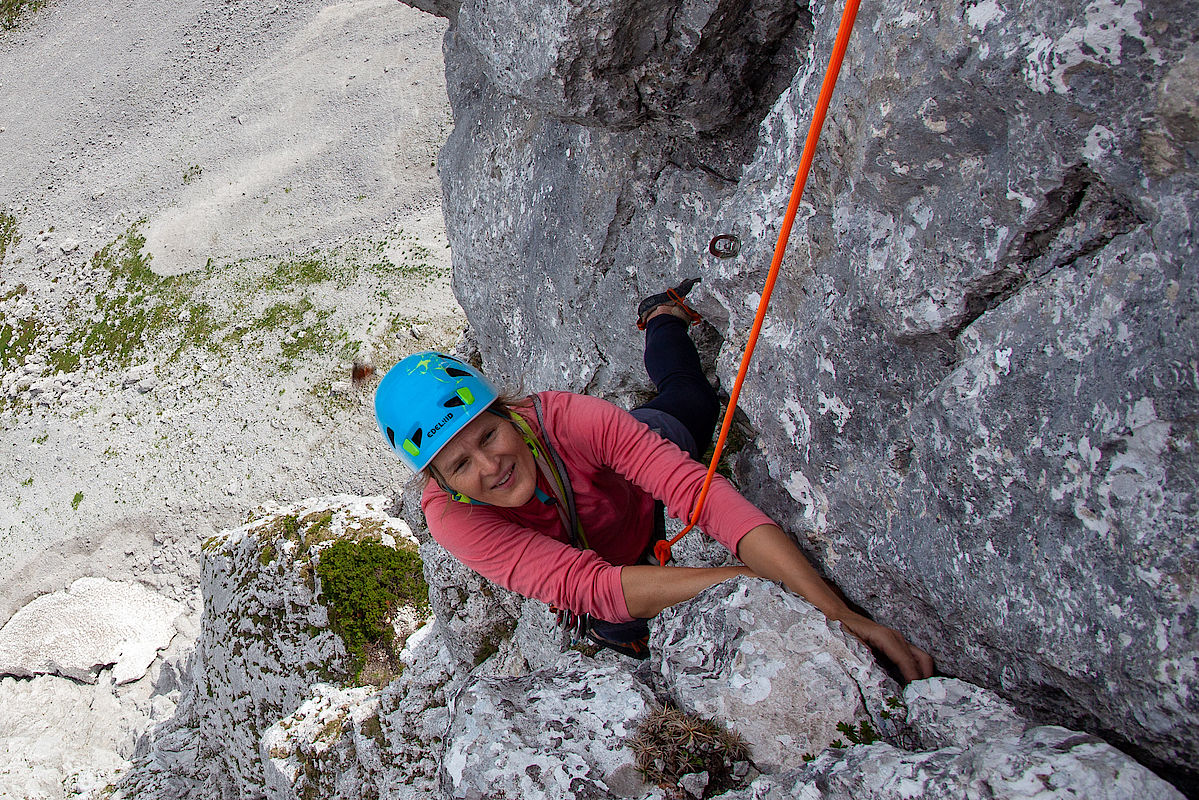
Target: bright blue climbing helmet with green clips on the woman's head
427 399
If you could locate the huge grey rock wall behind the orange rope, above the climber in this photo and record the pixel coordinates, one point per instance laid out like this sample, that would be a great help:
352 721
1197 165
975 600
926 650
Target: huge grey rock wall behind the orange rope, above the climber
975 395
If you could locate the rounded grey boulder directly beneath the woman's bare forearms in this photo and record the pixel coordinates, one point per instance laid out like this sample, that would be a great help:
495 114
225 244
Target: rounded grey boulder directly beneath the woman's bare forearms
768 665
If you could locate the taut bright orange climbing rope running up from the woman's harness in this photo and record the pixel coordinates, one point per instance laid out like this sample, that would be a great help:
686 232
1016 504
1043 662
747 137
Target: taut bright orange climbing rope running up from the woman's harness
662 550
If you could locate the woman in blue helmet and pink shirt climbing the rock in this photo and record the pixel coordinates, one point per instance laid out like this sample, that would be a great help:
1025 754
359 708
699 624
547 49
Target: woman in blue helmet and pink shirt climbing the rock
553 496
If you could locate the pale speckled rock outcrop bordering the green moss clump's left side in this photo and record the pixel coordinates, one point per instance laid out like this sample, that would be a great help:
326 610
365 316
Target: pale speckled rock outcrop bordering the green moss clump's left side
266 640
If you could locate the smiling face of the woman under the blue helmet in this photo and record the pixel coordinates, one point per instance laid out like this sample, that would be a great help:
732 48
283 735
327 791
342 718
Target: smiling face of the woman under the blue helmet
491 462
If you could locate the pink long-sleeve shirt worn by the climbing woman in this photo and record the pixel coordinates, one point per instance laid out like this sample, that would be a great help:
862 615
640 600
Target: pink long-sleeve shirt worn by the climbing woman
617 467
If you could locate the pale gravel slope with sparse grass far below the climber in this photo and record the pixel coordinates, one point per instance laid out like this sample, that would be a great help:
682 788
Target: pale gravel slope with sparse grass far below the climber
209 212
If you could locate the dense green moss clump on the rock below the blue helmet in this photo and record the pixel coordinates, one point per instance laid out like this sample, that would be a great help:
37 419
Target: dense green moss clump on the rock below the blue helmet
363 587
